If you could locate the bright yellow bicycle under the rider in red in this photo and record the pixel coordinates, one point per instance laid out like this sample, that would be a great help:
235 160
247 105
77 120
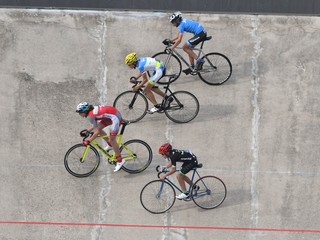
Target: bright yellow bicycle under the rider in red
82 161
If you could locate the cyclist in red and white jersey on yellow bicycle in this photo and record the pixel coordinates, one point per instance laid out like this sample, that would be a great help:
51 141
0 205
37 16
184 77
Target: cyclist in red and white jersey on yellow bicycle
101 117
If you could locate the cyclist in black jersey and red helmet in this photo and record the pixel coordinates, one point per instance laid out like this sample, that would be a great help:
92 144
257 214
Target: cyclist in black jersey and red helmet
189 161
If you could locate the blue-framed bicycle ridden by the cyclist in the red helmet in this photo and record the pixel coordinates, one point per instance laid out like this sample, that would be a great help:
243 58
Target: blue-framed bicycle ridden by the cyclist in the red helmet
158 196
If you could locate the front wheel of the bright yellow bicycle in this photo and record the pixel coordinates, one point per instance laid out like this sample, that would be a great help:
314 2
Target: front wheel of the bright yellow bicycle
78 166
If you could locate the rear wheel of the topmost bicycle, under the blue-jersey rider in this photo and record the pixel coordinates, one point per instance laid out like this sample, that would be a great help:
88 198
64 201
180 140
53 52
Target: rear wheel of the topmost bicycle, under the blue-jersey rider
216 69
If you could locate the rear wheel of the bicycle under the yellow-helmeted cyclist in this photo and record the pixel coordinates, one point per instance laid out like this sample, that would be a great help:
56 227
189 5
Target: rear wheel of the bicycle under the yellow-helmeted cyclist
184 107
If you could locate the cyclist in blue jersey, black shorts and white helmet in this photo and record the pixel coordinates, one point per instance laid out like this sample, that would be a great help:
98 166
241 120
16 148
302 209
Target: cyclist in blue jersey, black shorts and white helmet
186 25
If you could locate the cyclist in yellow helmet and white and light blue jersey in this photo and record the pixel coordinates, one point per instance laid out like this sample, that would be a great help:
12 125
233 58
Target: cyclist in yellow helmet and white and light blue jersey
145 65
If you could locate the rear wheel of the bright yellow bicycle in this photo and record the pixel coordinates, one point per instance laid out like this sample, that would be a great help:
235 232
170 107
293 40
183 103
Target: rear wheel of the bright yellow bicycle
138 155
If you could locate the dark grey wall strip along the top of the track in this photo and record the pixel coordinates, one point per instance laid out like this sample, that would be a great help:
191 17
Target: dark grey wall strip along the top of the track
295 7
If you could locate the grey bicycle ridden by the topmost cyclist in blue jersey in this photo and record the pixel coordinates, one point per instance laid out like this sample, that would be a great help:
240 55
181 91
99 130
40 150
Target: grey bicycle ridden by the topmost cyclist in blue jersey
216 69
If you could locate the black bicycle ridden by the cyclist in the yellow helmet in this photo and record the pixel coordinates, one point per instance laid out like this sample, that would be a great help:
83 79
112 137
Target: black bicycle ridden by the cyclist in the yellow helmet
180 106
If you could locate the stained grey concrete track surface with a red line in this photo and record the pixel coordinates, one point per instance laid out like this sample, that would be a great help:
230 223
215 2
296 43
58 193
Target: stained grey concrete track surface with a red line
259 132
